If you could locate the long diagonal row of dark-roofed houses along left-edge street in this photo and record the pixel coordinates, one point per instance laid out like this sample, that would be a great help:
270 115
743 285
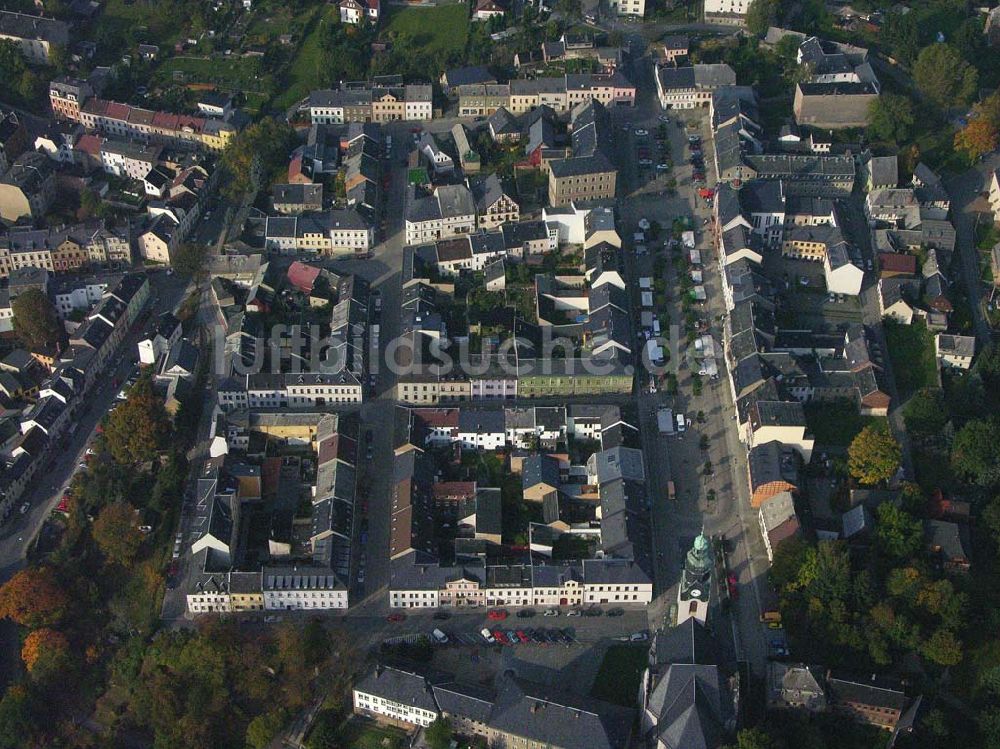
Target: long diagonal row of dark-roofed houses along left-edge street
74 374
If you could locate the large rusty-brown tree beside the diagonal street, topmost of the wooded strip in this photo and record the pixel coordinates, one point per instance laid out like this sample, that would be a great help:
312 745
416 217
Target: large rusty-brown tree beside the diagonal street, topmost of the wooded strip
137 430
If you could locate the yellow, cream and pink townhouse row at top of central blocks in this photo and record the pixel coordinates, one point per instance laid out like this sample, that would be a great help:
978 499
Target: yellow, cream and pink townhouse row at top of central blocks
560 93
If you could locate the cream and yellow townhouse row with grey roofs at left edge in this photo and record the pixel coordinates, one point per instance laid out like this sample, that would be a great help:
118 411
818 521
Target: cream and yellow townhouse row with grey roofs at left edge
65 249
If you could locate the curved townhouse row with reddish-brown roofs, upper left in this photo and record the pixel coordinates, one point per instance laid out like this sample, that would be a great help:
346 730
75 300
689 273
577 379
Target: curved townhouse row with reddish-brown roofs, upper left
73 100
